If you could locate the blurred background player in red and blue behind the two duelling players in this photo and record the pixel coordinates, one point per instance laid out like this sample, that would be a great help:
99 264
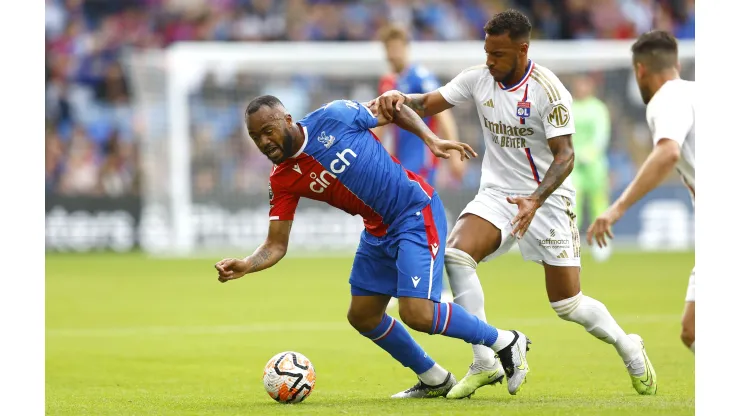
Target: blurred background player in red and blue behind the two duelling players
408 149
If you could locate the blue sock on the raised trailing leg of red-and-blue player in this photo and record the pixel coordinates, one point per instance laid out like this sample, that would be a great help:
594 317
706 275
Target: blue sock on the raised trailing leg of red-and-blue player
452 320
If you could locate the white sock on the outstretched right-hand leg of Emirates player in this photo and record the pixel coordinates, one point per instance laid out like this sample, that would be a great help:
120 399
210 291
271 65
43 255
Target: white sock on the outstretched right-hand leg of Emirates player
597 320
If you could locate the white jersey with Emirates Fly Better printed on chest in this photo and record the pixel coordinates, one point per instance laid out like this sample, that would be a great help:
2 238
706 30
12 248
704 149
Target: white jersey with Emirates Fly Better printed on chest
517 123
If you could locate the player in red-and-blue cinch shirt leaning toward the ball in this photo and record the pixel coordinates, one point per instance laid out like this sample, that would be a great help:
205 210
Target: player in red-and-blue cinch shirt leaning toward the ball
332 156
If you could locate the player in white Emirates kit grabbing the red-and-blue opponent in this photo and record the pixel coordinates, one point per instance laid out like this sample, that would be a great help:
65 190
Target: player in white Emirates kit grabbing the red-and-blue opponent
525 196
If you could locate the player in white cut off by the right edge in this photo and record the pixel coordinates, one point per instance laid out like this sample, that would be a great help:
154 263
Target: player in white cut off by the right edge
670 116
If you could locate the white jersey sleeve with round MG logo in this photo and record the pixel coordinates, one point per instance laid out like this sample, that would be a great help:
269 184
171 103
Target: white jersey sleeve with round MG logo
555 105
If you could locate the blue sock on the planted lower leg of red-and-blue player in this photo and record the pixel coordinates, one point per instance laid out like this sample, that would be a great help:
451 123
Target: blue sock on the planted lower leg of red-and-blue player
391 336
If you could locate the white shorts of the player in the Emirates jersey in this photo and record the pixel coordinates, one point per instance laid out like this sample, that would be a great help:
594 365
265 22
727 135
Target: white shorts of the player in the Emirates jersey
552 237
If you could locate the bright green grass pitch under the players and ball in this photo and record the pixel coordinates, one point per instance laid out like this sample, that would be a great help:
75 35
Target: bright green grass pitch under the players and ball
128 335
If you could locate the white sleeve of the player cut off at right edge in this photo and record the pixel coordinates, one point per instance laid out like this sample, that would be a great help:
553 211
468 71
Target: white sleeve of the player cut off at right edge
670 115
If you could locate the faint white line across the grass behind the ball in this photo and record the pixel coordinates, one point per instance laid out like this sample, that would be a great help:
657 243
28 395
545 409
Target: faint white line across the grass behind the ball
521 324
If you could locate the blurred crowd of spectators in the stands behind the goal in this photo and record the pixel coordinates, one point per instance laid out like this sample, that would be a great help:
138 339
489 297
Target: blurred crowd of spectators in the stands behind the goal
91 128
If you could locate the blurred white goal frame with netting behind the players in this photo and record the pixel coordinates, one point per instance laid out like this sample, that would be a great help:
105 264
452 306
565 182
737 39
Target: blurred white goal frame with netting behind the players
204 183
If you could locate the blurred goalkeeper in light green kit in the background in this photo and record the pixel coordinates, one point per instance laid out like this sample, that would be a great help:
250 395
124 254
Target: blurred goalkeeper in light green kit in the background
591 168
